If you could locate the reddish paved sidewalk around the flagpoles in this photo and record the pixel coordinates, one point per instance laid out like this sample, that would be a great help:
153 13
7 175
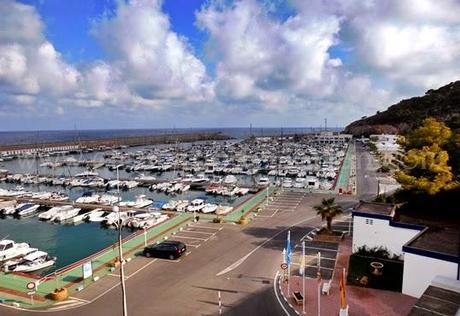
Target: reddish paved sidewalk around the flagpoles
361 301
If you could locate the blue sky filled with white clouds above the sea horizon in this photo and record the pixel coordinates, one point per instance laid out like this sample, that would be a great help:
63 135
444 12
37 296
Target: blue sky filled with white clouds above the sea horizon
218 63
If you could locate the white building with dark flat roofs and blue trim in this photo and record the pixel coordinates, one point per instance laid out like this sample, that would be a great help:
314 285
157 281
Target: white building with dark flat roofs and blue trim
426 252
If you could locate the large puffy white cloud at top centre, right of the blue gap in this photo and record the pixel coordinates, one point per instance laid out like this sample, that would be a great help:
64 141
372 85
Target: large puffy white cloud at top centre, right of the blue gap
265 60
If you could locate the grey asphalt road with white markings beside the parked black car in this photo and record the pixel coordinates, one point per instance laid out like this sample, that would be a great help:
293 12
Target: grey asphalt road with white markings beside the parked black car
240 262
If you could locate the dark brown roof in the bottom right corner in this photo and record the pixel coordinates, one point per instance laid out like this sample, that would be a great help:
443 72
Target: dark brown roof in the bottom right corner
437 300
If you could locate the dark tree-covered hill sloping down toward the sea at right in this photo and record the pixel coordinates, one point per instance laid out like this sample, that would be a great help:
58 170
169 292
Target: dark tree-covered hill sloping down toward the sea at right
443 104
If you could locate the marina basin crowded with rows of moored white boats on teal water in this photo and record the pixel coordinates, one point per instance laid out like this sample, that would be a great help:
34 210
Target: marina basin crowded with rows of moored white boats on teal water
70 196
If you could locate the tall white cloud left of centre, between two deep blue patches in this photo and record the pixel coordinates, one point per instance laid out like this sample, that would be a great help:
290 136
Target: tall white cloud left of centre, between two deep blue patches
154 61
